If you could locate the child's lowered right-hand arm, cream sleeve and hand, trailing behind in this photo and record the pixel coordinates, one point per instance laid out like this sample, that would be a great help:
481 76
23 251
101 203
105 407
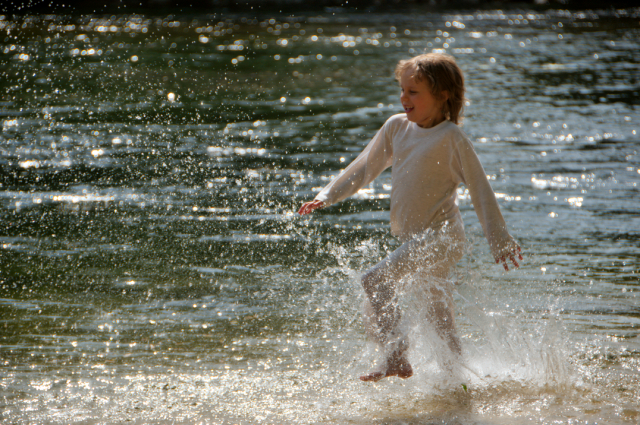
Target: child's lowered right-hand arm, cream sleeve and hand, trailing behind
503 246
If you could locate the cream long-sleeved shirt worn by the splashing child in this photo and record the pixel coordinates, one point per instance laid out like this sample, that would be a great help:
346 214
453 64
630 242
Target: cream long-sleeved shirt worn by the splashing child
428 164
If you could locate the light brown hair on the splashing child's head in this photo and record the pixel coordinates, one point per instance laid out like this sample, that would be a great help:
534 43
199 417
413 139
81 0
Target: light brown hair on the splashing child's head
440 72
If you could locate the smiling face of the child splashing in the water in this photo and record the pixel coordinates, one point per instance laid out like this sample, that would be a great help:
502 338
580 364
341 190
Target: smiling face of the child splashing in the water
421 106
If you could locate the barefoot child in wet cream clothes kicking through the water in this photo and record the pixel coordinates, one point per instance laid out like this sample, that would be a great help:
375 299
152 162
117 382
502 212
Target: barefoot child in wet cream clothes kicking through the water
430 156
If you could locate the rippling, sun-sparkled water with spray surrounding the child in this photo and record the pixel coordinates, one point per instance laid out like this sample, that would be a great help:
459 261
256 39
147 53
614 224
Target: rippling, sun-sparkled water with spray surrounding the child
153 269
